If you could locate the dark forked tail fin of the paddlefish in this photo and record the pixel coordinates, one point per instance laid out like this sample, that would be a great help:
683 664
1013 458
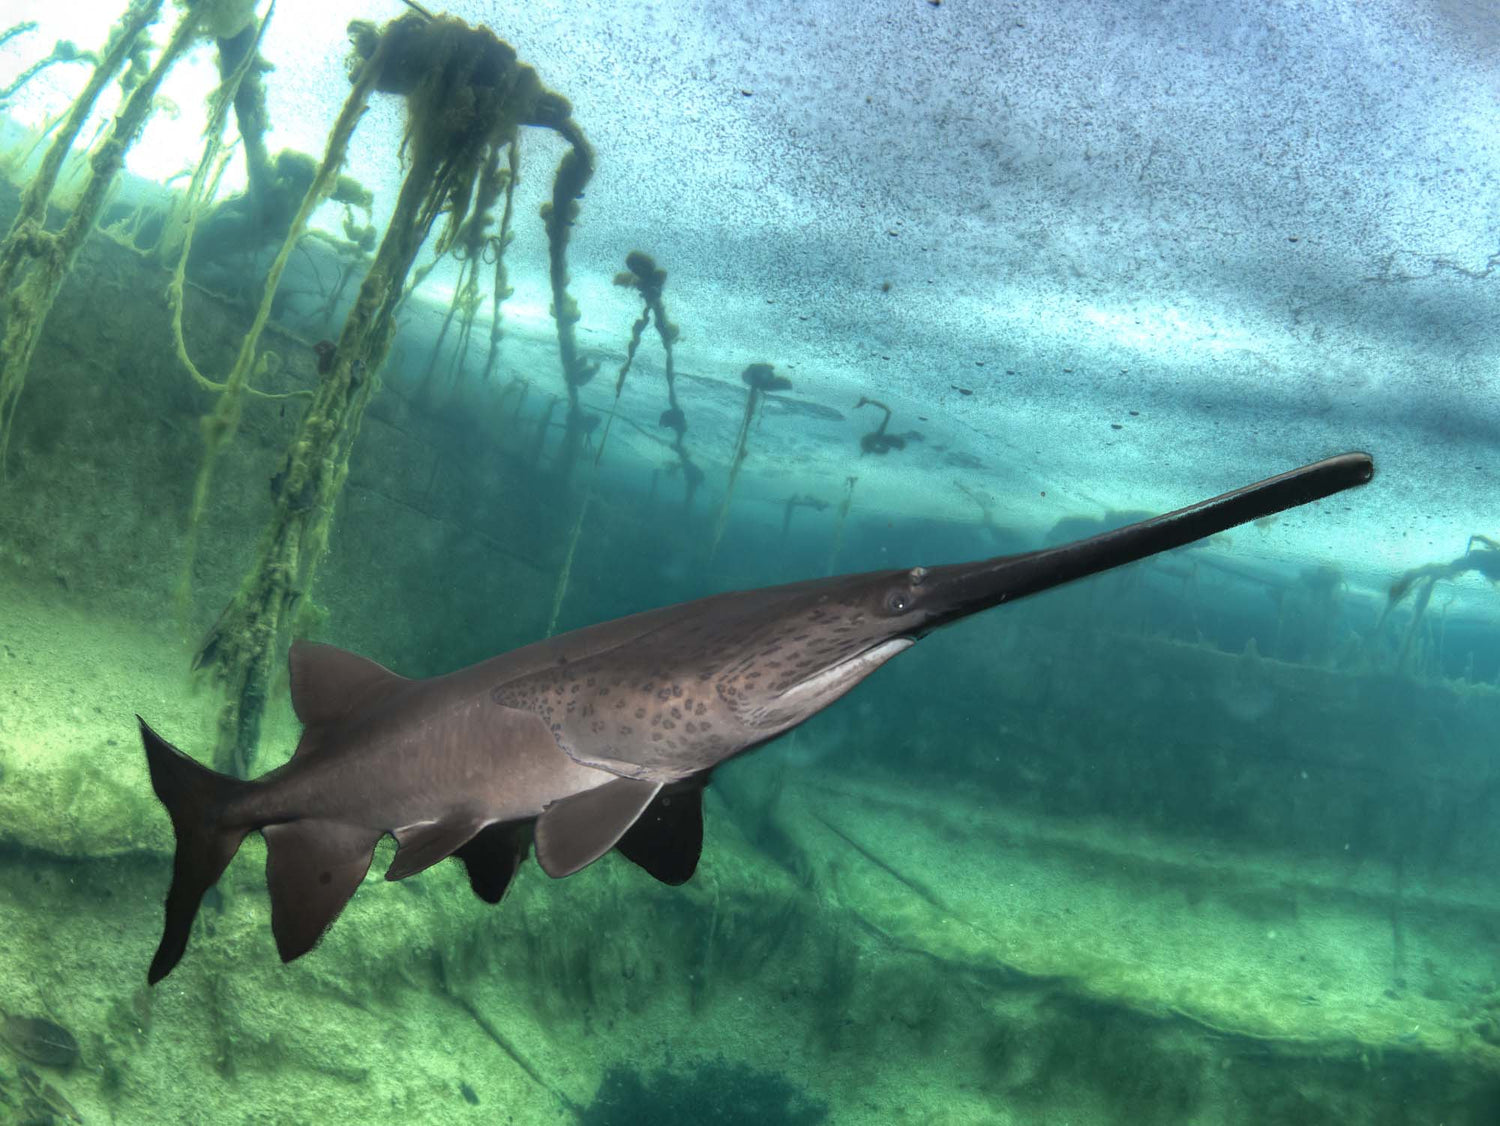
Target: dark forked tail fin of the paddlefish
194 798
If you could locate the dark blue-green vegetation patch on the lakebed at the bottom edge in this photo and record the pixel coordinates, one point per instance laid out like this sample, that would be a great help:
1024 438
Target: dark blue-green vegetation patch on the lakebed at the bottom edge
707 1092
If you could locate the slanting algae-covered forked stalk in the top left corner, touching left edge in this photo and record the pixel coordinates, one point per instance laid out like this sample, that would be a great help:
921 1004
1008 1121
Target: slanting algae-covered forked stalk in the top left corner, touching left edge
35 262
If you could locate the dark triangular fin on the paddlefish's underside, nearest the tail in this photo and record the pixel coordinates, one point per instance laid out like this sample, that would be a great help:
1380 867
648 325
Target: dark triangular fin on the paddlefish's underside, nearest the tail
313 867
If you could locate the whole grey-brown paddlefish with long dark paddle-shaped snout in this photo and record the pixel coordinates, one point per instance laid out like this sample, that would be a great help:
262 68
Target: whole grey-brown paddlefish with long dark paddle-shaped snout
595 740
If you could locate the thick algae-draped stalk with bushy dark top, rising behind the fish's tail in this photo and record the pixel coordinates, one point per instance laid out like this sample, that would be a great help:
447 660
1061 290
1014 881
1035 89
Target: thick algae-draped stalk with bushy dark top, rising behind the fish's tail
467 97
